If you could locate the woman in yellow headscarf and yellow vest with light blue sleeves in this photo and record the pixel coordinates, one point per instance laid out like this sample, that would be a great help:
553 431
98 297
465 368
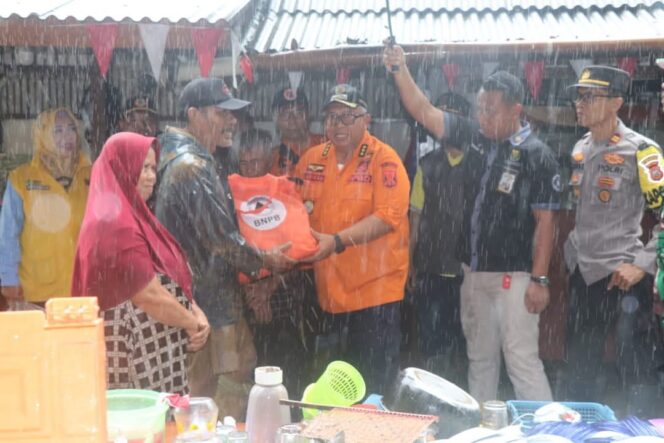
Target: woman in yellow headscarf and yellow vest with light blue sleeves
42 210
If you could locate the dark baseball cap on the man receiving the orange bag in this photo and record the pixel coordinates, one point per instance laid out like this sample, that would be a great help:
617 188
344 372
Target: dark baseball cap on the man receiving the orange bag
203 92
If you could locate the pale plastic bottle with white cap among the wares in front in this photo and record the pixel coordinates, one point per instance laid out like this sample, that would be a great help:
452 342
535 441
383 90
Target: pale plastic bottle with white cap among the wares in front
264 413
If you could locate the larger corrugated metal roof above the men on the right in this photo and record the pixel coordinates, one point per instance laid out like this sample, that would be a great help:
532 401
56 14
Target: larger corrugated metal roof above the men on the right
320 24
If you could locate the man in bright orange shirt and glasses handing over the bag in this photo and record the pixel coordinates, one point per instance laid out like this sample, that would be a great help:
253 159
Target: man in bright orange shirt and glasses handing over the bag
356 190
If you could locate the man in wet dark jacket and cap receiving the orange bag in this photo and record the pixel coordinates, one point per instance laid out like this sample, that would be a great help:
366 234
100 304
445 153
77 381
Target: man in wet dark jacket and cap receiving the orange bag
193 202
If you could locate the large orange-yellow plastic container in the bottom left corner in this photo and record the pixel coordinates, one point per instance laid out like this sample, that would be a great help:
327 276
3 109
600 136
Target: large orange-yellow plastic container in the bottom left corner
53 374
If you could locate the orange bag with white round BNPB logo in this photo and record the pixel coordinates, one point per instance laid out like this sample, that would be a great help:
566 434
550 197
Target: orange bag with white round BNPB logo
270 213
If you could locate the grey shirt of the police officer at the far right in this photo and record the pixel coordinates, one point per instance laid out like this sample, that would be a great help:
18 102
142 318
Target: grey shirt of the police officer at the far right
609 208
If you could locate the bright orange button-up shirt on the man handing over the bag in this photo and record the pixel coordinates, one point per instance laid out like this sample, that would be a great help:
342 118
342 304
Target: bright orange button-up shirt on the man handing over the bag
373 182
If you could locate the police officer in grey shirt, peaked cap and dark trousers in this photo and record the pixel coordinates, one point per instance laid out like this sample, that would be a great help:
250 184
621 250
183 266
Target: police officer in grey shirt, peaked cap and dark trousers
616 175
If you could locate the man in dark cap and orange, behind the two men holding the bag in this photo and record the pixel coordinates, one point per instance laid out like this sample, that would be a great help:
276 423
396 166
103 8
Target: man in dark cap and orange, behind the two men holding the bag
291 109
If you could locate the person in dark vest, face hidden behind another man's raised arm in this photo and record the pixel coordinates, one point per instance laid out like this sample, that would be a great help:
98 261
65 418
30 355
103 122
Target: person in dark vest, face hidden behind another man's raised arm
436 223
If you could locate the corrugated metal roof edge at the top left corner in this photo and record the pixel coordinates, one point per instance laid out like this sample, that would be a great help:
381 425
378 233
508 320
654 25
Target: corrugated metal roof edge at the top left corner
172 11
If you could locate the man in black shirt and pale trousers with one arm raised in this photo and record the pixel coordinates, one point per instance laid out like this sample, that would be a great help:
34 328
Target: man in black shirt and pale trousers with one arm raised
514 184
